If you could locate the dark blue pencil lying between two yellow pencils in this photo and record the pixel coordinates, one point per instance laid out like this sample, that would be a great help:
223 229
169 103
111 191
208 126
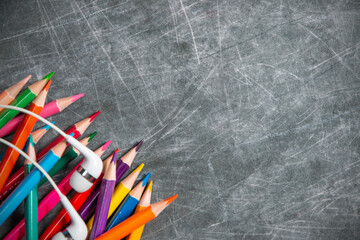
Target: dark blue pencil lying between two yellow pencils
129 204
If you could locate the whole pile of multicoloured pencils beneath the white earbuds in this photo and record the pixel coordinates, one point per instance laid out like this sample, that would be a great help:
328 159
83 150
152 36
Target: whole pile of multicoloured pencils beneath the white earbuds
112 207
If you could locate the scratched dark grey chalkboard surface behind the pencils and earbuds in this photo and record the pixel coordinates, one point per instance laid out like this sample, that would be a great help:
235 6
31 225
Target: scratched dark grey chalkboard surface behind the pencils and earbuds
249 109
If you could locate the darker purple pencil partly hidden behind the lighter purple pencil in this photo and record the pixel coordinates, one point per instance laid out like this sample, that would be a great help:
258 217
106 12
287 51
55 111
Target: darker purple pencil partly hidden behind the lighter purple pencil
87 209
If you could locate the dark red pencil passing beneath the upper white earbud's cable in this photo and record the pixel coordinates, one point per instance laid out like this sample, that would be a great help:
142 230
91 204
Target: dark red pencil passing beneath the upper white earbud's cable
77 129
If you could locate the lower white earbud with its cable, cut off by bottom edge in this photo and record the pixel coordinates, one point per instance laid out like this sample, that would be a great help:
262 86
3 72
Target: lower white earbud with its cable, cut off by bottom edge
77 230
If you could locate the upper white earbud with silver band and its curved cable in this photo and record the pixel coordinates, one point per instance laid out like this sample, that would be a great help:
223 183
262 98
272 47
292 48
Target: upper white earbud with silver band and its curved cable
91 167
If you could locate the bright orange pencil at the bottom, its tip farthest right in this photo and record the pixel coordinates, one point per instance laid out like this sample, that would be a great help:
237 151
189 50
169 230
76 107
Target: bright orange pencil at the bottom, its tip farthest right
124 228
